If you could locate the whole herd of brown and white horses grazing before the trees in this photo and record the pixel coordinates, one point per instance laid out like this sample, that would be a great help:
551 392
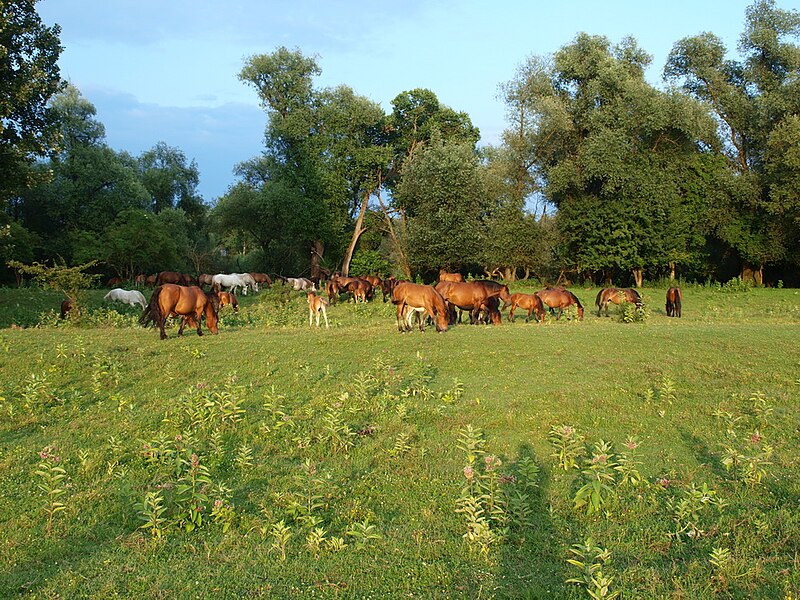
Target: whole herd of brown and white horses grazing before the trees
178 294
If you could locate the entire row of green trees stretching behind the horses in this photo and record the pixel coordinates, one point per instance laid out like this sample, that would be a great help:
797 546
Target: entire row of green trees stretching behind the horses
599 175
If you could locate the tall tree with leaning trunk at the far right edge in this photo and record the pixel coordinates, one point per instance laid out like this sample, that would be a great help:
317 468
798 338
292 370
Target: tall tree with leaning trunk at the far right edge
756 103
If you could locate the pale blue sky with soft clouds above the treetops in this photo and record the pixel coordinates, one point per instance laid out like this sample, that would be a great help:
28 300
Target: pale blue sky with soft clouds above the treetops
161 71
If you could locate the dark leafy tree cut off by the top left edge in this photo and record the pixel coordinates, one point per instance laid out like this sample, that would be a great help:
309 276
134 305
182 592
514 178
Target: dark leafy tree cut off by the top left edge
29 77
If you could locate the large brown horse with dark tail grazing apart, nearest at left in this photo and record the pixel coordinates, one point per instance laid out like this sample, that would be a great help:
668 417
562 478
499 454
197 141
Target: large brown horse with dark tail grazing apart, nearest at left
190 303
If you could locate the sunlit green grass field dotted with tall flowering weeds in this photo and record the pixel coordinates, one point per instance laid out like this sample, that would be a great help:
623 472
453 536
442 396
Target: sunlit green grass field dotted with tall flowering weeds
277 460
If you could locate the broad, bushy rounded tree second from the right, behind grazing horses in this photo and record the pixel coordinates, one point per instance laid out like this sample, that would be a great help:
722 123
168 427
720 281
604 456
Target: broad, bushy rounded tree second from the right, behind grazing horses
616 157
